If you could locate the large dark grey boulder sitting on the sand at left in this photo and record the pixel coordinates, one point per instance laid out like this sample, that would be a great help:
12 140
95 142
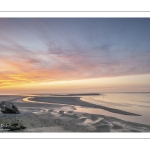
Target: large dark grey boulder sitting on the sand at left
8 108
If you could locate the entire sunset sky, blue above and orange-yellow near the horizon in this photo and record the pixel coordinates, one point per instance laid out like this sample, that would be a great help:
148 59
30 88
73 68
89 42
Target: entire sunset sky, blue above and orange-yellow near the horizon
74 55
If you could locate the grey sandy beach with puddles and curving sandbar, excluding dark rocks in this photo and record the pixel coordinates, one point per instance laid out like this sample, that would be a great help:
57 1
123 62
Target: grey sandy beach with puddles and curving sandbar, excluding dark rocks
47 113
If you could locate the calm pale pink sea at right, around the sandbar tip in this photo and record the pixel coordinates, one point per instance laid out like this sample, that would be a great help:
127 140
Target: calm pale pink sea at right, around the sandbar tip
138 103
